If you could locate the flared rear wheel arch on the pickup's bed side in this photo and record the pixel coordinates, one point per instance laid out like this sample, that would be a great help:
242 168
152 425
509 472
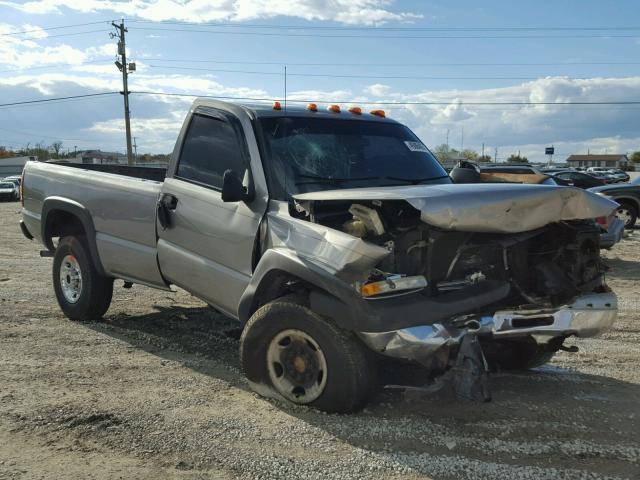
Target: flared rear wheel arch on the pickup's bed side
62 217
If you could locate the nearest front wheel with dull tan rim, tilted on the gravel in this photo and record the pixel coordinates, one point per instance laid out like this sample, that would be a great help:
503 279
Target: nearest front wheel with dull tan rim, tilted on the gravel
305 359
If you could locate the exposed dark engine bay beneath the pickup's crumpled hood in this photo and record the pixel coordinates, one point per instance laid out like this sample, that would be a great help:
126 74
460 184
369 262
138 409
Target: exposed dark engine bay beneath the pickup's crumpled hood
547 266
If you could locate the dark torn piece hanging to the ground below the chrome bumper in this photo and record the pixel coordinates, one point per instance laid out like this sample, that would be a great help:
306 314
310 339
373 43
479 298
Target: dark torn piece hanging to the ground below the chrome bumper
471 373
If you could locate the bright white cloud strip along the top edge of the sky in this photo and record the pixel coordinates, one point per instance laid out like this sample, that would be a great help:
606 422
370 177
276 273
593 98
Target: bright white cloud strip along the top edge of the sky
351 12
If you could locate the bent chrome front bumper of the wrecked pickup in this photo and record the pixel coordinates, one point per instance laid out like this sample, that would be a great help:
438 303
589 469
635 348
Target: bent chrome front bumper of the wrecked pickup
587 316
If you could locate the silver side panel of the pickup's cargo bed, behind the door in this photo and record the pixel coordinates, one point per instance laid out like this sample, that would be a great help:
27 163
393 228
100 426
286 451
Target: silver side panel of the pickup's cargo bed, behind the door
121 202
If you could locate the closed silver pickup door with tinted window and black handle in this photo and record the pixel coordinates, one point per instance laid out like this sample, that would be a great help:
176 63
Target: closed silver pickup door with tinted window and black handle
206 244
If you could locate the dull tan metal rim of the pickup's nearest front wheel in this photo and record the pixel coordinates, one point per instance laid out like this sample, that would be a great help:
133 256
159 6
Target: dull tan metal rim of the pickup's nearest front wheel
297 366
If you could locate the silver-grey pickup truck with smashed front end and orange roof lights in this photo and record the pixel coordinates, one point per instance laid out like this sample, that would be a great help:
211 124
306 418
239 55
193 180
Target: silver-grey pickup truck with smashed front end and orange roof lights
336 239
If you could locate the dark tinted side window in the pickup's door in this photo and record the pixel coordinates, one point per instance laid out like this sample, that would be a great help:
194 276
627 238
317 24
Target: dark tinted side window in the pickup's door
211 147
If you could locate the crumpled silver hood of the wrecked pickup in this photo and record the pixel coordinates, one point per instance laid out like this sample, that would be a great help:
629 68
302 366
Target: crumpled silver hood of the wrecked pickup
496 208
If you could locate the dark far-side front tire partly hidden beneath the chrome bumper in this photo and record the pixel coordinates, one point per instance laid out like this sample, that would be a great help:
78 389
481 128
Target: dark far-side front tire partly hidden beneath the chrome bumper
516 355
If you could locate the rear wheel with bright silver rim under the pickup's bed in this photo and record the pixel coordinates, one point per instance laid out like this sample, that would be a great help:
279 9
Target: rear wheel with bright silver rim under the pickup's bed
86 299
